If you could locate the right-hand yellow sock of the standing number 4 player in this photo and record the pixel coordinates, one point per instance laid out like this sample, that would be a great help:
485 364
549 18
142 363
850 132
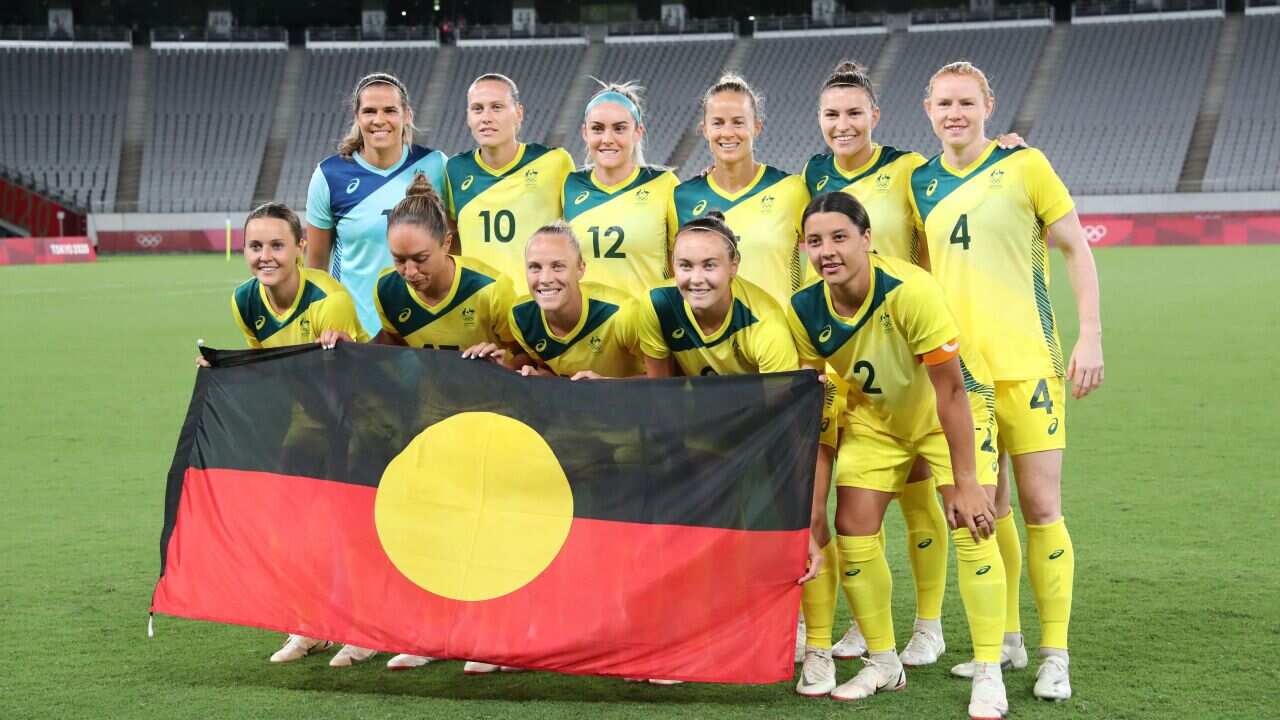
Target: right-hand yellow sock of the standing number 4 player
1052 566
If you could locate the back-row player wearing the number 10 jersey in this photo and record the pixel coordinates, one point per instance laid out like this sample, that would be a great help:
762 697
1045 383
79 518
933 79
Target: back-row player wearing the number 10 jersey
505 189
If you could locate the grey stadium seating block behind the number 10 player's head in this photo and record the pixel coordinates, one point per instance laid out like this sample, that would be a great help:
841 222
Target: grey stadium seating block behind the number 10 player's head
542 72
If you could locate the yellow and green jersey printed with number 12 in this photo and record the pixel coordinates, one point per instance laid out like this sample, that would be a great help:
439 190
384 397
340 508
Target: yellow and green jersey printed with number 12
624 230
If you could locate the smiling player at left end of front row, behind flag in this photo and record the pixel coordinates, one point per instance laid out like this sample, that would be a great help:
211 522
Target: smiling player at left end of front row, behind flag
285 304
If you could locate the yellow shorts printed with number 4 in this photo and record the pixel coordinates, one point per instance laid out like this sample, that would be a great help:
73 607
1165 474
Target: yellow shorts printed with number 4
1031 416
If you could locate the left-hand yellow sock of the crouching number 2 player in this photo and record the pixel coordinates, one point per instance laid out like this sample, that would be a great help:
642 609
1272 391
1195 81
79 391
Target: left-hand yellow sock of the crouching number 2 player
870 585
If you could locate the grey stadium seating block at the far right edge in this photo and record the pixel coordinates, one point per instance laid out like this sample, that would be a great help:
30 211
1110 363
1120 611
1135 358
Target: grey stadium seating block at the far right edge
1247 144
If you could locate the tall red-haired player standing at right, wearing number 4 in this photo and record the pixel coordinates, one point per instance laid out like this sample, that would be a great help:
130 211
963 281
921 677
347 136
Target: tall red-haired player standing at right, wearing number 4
988 213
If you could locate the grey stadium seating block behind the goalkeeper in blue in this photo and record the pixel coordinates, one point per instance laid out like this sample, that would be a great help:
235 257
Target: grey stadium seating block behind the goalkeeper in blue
324 112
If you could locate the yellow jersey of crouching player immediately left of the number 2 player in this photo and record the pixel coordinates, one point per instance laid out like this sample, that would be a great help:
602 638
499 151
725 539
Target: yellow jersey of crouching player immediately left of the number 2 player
753 339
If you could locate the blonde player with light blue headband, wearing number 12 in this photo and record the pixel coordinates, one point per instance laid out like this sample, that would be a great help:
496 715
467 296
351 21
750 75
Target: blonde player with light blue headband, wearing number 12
618 206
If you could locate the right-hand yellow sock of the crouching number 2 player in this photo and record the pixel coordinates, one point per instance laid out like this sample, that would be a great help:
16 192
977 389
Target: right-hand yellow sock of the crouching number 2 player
982 587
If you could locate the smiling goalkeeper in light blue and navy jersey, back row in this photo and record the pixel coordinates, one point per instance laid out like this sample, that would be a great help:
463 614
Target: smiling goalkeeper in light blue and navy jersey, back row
353 190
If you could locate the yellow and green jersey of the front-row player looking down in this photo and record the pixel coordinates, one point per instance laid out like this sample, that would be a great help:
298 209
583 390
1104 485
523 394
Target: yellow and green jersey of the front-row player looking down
476 309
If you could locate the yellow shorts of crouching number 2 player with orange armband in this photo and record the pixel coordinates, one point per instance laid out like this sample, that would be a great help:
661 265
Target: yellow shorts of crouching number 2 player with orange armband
872 459
